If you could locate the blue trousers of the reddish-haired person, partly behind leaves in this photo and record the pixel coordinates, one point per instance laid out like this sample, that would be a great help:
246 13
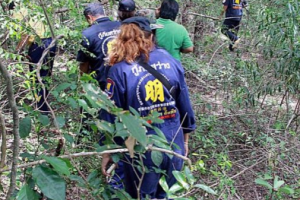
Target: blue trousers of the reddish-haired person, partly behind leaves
150 186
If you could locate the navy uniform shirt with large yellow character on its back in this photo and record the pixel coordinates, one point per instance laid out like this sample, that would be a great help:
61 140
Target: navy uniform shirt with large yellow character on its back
130 85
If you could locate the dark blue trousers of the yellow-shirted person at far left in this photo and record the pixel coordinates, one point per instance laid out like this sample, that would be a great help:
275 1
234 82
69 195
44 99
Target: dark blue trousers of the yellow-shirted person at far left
35 53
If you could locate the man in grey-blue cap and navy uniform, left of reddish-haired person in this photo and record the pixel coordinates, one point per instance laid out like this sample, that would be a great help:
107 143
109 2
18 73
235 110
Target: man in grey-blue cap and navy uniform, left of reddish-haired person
96 41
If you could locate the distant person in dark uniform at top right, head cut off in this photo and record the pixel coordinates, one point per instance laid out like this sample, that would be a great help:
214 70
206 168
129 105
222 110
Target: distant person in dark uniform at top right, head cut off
233 10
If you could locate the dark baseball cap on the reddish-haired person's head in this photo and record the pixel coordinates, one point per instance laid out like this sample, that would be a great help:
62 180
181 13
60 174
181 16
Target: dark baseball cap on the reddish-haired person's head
142 22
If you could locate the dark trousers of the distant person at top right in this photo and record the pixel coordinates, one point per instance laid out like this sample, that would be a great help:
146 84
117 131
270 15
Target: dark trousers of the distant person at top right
230 28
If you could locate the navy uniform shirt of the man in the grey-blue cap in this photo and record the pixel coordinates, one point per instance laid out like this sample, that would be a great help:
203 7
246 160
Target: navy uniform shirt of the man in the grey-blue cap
96 42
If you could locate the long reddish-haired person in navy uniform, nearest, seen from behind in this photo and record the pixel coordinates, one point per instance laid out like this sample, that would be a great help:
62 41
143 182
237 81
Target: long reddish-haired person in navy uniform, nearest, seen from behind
130 85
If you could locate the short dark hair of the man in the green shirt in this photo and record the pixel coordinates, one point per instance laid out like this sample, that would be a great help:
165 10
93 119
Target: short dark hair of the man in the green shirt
169 9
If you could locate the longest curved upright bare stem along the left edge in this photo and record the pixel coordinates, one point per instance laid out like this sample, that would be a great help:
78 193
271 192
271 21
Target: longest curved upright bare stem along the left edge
16 143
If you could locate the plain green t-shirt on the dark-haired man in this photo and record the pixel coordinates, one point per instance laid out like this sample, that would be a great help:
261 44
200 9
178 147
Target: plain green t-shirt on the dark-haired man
172 37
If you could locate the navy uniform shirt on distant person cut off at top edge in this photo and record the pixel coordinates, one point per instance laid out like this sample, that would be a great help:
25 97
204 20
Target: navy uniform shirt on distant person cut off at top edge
234 9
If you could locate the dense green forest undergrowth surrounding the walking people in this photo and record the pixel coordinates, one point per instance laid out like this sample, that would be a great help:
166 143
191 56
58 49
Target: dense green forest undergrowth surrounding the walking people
247 105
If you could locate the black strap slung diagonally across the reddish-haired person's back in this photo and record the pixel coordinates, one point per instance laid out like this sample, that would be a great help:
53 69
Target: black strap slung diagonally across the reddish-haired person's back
159 76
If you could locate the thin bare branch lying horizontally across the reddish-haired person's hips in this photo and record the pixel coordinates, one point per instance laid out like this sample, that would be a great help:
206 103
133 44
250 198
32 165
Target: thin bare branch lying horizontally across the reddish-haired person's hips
87 154
